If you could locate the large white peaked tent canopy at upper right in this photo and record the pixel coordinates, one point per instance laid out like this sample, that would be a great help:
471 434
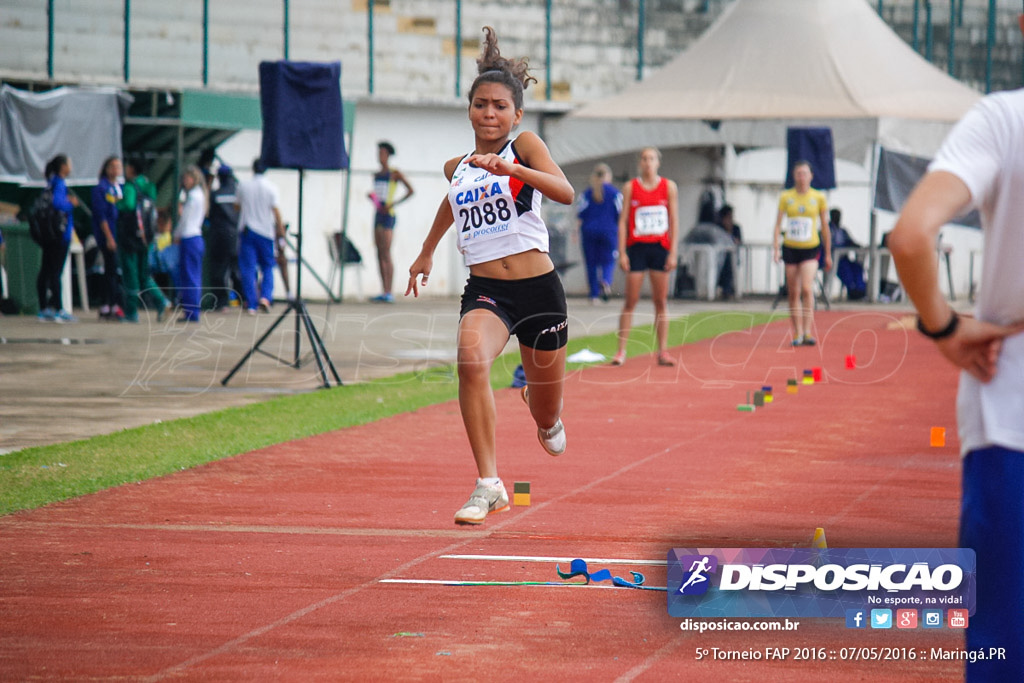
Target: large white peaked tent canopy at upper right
766 65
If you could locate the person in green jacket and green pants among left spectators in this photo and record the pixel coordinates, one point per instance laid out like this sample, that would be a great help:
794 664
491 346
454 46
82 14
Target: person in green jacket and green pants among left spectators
140 194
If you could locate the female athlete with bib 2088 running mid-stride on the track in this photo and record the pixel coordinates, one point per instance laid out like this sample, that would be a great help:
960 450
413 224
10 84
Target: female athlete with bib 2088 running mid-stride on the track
495 204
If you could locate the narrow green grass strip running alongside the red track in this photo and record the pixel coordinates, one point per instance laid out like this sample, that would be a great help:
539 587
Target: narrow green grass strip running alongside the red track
36 477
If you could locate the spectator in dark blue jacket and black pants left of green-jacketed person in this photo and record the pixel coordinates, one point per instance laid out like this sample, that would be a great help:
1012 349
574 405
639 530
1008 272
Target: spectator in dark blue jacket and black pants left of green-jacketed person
106 196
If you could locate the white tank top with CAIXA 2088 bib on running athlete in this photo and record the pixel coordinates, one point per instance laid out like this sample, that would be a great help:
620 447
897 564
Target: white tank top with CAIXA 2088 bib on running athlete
495 216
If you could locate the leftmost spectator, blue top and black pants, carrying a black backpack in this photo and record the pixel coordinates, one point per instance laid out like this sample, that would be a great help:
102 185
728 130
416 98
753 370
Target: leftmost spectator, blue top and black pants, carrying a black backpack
55 254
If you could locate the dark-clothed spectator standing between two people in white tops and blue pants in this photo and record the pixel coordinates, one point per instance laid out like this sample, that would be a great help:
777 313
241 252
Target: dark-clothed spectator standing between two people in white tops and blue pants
223 242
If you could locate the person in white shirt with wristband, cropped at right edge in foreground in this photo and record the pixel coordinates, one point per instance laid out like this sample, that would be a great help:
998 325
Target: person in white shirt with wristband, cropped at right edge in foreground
982 166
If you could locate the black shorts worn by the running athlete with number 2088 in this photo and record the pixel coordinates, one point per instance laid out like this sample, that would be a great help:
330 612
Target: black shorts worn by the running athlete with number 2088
533 310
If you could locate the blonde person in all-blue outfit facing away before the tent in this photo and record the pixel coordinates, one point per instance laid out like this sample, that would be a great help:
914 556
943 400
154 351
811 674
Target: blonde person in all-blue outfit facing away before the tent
601 206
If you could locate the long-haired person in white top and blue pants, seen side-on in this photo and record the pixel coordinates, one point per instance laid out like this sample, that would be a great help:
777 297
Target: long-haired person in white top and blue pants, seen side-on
189 237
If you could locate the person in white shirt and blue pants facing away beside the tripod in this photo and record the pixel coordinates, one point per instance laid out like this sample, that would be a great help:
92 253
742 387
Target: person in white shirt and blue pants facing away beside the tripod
261 227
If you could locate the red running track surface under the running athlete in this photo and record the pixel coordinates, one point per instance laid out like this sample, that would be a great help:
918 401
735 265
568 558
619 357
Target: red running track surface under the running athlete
270 566
